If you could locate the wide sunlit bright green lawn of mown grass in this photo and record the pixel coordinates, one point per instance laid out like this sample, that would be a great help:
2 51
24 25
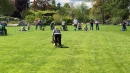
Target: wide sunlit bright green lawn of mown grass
103 51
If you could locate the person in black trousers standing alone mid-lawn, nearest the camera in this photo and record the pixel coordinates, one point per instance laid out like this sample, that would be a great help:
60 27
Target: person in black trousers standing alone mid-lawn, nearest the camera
56 35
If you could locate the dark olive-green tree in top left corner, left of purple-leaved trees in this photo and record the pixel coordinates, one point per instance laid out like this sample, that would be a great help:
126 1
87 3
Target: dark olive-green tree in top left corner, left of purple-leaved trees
6 7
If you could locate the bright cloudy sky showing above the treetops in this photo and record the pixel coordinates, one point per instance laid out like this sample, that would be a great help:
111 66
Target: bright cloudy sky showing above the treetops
75 2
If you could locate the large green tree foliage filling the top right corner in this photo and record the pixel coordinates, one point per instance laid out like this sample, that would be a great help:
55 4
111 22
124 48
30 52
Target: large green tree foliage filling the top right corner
111 9
